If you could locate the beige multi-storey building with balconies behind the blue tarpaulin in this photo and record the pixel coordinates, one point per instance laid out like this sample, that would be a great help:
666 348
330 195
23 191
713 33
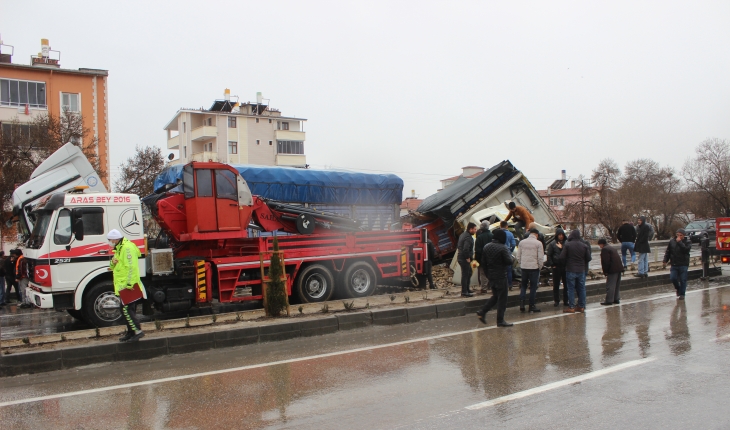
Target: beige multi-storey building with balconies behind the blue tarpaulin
237 133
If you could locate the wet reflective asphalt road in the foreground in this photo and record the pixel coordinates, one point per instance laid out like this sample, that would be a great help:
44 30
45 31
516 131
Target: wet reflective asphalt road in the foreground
651 362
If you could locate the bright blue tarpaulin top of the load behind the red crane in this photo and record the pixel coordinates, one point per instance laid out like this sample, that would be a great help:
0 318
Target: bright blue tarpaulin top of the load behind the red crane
291 185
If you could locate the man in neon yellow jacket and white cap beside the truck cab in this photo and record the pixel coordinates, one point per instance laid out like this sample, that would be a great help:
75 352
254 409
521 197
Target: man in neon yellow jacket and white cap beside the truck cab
126 275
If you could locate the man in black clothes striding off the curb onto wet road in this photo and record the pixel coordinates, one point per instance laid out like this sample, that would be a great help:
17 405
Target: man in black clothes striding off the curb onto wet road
495 260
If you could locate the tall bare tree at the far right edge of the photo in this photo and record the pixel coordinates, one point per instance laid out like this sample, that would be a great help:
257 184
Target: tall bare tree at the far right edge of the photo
709 173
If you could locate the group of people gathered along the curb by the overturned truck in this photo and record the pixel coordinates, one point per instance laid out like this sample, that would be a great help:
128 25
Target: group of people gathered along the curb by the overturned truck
567 257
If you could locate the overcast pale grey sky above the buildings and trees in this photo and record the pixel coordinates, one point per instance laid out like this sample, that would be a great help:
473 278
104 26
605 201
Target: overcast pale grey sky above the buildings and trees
417 88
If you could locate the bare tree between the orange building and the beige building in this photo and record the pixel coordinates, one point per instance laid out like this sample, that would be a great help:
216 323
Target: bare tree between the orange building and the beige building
140 170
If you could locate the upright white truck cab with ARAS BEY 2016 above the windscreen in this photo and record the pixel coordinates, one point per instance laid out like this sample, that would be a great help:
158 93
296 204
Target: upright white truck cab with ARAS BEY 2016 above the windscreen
68 253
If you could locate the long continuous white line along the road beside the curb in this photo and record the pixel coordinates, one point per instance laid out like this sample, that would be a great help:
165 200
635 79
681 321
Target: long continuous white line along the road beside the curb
318 356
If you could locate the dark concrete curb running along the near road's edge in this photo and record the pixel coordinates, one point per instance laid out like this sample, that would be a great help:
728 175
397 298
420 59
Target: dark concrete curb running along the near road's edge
112 351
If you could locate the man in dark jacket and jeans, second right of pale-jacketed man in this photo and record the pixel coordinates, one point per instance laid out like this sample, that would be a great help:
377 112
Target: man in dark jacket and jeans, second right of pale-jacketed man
576 256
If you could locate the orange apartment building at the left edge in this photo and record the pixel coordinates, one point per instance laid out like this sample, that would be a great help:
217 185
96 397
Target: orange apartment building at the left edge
42 87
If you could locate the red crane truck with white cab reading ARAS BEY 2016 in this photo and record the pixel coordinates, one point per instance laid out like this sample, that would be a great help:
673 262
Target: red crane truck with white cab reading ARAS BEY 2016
204 252
